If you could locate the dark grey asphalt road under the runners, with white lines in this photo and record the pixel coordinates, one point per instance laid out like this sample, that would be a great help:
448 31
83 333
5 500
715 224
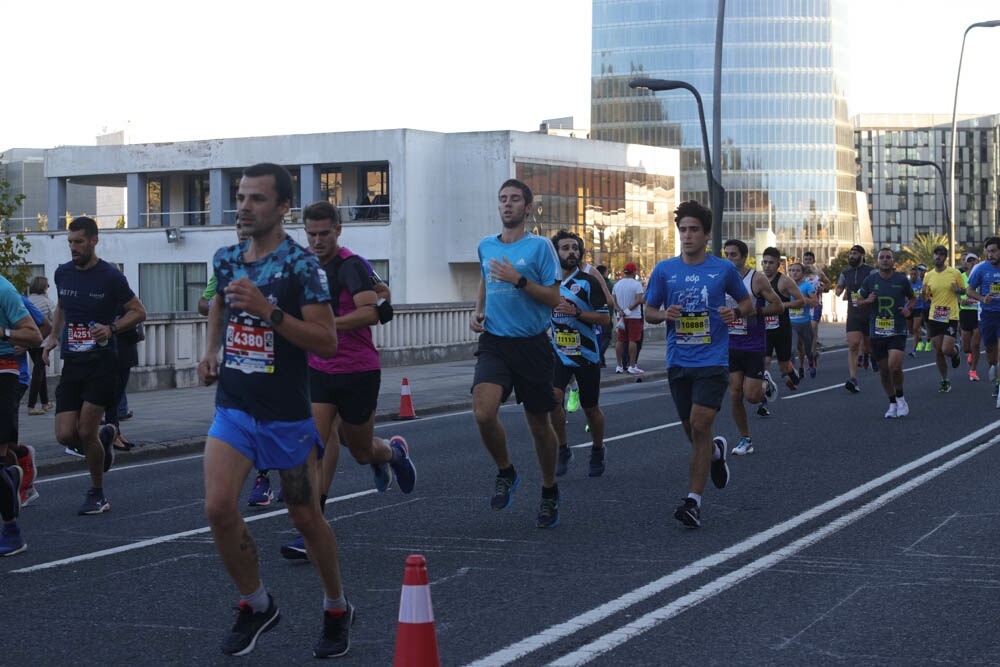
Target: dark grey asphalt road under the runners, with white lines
845 539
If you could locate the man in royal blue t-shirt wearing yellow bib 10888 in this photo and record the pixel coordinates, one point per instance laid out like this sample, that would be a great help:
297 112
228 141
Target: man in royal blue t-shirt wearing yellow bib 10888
691 290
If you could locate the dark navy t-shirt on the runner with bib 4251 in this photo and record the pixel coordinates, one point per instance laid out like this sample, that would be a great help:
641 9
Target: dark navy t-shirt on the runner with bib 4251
94 295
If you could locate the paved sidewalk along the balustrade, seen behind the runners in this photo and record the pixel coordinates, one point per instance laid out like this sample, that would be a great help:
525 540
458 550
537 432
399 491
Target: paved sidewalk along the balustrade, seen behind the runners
168 422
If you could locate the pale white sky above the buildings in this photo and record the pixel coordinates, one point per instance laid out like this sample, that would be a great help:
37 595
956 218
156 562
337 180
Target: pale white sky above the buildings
216 68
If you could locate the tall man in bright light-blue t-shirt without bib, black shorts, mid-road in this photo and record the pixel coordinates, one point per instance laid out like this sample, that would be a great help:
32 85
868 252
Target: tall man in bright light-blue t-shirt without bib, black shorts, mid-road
517 292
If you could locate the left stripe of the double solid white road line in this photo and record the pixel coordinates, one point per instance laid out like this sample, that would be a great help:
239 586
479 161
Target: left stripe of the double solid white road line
601 613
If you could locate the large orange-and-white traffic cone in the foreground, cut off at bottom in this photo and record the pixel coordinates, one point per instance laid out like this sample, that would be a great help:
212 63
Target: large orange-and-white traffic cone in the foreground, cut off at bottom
416 640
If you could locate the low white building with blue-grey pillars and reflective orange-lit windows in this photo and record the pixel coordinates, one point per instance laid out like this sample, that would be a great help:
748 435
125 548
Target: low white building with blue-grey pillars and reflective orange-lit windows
415 203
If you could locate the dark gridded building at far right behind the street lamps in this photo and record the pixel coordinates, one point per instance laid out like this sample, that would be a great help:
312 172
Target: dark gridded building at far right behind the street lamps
906 200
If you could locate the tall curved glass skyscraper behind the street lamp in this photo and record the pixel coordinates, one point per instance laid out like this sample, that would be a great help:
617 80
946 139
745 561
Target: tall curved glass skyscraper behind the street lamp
788 159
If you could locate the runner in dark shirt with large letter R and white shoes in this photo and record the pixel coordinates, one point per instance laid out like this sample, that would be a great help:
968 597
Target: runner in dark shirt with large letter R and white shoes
890 297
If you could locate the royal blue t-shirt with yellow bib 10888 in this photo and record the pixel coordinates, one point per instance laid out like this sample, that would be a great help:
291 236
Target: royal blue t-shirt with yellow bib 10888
698 338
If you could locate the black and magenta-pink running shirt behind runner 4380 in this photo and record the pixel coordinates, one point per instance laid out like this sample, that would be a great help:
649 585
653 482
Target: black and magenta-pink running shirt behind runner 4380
356 351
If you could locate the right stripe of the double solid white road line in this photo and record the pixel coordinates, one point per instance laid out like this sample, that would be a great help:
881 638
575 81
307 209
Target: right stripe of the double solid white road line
627 632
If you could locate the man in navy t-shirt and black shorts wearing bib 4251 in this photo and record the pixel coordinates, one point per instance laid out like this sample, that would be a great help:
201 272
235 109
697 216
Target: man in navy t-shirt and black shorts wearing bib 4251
91 293
